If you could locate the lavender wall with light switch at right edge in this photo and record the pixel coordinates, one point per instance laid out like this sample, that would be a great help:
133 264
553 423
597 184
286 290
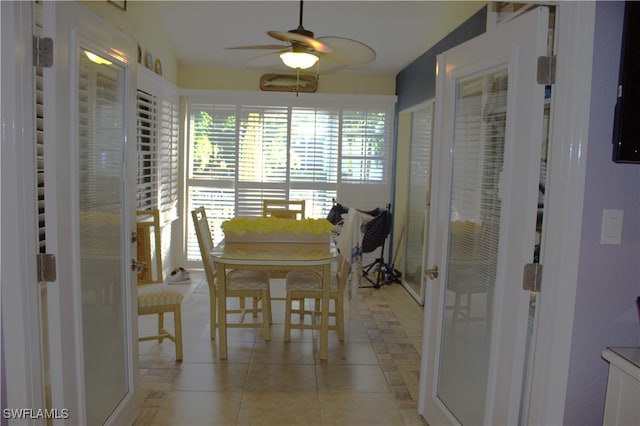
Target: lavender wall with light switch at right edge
609 275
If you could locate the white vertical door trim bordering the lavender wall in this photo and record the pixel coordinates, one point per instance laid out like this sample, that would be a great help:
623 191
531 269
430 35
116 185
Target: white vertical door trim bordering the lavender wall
563 217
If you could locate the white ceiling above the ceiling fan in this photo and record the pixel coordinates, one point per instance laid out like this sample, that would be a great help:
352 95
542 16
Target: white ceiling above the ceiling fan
399 31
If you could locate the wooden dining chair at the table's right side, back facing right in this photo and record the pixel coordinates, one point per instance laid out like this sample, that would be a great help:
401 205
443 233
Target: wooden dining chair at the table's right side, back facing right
302 285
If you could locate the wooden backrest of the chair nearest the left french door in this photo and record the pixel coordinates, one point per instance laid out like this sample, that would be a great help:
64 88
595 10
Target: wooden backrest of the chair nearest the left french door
149 251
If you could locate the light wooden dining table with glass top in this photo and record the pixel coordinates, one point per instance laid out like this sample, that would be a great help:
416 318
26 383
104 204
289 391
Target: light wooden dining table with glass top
274 257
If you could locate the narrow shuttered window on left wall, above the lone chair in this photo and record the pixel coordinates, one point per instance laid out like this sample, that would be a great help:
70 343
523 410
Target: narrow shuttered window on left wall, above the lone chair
157 146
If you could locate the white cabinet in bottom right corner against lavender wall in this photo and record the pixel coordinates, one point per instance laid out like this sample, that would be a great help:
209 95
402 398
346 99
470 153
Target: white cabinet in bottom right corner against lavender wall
622 405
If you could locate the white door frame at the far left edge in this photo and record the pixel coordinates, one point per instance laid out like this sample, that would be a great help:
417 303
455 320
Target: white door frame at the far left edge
23 373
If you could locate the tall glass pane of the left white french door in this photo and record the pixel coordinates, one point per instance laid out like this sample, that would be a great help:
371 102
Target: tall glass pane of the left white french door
101 136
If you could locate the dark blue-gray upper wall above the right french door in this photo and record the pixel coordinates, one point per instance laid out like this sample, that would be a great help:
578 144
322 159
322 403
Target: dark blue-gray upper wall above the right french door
417 82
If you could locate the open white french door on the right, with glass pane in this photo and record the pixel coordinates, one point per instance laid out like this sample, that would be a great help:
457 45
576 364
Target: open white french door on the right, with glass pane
487 148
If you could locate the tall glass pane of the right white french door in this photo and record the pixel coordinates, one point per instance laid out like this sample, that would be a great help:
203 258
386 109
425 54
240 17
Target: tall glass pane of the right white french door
478 146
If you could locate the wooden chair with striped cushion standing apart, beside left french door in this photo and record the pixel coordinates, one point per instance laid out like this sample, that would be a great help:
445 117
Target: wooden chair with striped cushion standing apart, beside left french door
154 296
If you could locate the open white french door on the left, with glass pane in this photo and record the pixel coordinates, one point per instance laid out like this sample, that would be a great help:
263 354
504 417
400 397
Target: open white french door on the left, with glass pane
89 107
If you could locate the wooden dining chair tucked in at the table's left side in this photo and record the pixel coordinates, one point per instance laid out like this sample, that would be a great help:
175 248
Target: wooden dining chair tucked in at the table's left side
240 284
